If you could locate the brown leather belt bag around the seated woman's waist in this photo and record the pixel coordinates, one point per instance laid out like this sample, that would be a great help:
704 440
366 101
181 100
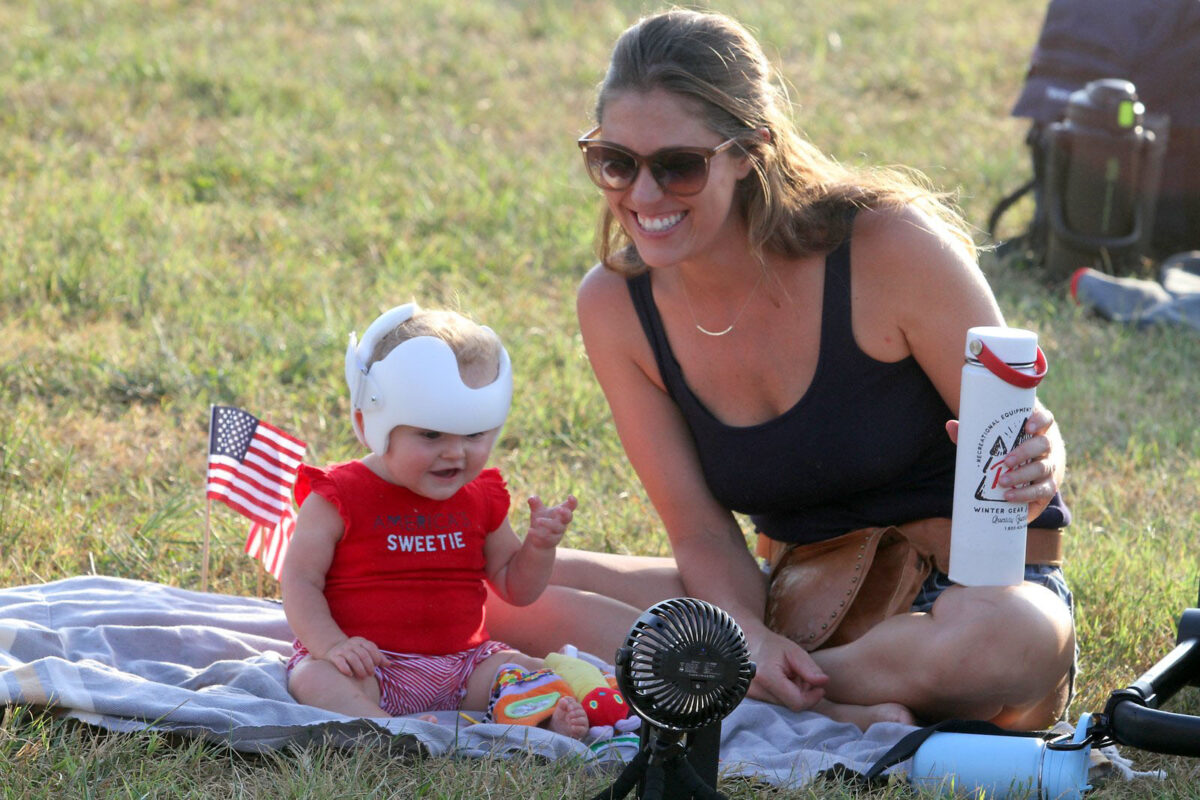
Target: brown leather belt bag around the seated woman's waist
831 593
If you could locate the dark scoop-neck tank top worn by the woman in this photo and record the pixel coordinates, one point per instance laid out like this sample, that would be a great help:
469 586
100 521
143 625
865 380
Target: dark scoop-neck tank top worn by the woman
865 447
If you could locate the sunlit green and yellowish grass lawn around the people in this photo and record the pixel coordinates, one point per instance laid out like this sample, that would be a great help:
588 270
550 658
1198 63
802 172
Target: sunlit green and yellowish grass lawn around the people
199 201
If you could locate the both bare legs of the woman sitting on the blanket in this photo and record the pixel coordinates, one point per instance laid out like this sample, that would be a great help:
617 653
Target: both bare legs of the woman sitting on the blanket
1000 654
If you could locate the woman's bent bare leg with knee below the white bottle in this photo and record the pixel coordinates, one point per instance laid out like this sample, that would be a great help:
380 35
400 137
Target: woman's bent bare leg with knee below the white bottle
1000 654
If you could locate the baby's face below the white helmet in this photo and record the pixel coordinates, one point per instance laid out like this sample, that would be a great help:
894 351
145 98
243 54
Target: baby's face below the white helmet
436 465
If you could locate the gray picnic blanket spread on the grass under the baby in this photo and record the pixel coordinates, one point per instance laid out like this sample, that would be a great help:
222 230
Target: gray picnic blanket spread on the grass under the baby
129 655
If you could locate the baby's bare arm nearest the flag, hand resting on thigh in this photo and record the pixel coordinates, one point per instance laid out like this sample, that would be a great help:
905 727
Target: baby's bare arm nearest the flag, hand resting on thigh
303 585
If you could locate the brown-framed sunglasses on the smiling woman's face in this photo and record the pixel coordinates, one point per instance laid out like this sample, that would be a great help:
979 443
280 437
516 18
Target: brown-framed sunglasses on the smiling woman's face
677 171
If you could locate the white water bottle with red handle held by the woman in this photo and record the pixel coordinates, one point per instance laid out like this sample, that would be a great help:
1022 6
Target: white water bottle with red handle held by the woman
1004 368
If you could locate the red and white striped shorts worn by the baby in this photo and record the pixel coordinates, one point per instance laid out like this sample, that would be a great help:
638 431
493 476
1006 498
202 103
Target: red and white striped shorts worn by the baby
411 683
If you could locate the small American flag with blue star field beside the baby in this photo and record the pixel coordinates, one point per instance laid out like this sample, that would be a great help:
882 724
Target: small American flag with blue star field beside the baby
253 466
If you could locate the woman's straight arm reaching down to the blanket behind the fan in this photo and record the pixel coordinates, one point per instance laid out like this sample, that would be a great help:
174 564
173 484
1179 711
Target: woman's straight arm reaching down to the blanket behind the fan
706 540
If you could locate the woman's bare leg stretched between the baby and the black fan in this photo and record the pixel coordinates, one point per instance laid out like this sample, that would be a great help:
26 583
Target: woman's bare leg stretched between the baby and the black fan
593 601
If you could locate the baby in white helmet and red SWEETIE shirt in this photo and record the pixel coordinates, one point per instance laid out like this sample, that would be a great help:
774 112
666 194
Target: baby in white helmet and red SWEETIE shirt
385 580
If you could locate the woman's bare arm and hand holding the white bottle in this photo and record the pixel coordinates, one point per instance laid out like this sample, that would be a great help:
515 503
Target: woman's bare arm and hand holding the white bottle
927 291
